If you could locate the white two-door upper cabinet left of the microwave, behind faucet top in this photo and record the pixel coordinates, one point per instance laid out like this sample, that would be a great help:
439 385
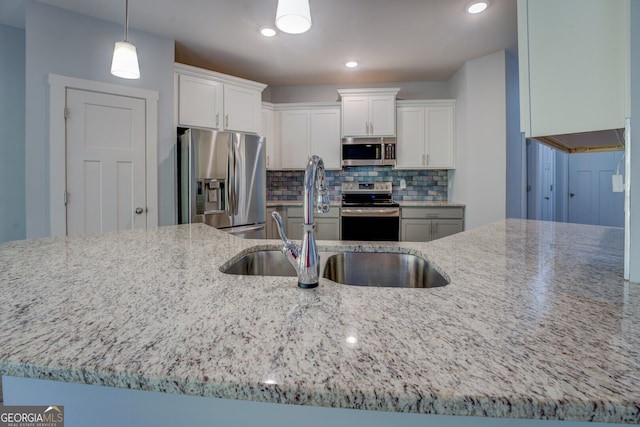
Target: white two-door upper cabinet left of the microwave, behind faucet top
308 129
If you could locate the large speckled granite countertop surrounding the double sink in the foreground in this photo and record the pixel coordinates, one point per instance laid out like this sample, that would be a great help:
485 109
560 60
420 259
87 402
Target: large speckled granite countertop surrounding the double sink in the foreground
536 323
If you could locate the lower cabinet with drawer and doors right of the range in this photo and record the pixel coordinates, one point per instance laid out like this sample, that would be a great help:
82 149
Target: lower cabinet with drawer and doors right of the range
422 224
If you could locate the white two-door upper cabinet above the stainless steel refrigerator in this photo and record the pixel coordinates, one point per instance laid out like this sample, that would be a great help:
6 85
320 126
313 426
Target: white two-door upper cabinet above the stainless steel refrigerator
211 100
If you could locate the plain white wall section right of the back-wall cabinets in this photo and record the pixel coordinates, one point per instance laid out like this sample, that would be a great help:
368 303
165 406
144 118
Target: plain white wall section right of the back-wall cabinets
479 180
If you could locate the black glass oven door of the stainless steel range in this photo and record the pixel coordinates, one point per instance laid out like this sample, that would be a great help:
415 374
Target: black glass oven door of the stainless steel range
370 224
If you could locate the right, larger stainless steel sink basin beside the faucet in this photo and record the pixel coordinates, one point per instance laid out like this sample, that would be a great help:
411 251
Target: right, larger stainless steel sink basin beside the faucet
382 269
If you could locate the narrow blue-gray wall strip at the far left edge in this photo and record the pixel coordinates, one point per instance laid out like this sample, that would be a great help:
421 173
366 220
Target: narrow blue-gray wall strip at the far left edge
12 87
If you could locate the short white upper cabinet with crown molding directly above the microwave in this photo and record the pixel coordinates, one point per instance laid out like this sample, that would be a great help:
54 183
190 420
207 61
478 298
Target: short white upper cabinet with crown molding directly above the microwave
368 112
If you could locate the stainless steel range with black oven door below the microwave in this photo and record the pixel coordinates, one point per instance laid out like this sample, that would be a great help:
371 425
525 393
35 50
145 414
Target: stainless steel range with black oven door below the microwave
369 212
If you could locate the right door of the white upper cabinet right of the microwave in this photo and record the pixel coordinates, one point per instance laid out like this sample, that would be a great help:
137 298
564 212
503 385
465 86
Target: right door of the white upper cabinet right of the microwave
439 133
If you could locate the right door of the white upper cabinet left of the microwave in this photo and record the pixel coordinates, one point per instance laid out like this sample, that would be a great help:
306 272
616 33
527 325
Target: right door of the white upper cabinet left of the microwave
325 136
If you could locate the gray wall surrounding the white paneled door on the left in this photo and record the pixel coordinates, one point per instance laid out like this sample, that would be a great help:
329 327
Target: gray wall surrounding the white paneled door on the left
74 45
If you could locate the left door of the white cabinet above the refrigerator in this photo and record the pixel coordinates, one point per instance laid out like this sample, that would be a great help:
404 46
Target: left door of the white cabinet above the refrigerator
199 102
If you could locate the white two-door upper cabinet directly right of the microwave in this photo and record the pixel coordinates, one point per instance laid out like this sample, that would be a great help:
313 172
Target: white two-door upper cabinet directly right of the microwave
426 134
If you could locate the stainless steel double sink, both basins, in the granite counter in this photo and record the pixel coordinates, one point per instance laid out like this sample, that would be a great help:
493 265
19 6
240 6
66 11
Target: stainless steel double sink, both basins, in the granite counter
381 269
